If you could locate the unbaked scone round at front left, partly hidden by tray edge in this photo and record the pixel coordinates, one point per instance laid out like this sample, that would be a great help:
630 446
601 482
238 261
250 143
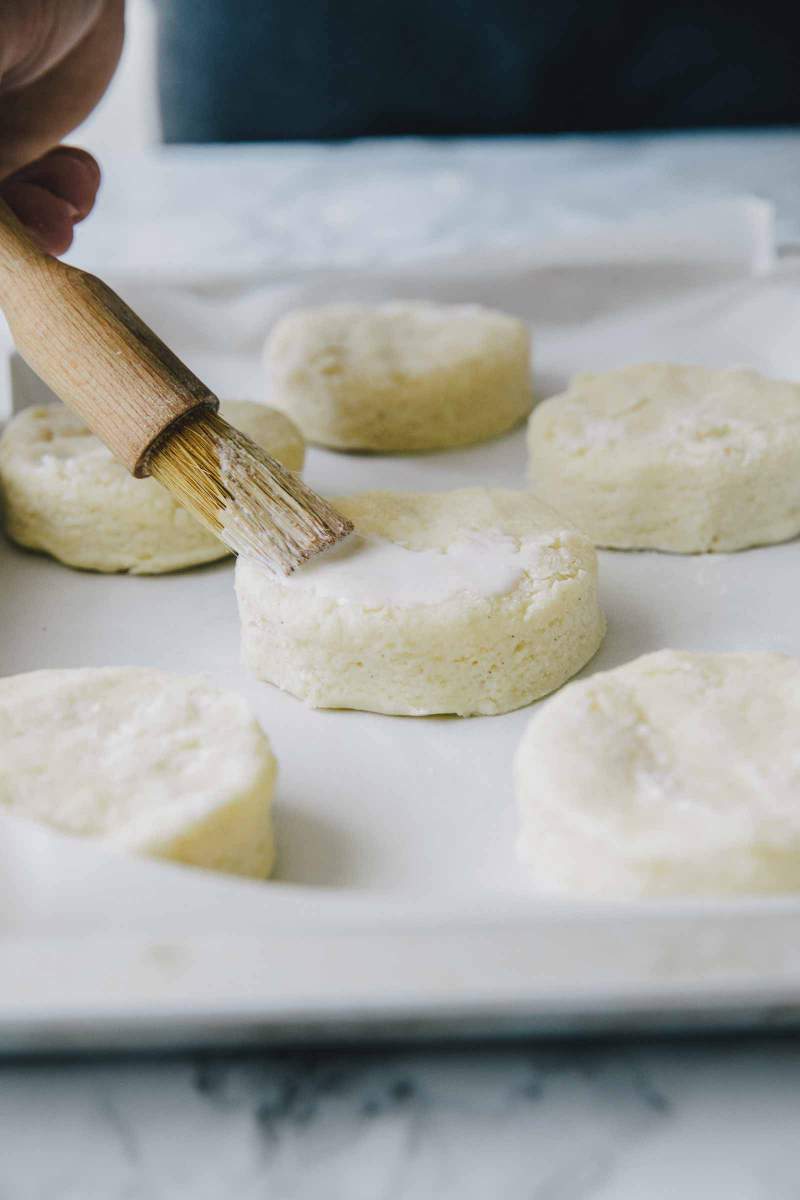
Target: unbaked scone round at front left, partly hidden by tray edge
151 763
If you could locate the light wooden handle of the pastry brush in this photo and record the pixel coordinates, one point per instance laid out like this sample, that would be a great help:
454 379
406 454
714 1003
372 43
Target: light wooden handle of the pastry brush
93 351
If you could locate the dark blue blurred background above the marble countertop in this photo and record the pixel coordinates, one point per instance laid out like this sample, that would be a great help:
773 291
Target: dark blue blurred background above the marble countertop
251 70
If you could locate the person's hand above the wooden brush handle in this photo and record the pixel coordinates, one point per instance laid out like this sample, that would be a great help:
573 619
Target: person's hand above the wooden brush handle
57 58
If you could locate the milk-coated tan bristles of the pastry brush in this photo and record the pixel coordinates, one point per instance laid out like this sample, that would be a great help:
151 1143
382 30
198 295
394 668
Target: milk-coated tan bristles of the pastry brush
252 503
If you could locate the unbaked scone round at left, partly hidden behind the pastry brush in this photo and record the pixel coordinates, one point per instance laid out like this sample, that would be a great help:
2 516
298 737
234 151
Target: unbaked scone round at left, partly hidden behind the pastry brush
64 494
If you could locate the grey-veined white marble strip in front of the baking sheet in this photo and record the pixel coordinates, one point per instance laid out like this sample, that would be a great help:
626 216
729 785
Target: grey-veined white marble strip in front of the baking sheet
544 1123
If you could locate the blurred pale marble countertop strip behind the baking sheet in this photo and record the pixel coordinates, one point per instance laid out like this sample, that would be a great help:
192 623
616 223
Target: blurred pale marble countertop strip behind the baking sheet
288 207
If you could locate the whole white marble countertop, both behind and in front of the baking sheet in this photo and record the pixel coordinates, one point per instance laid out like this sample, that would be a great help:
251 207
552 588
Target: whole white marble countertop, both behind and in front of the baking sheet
612 1121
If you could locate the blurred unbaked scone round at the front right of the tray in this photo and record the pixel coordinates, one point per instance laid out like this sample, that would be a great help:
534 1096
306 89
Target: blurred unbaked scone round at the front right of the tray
675 775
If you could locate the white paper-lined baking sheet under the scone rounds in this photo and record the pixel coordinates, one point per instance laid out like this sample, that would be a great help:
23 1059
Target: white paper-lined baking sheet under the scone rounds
398 904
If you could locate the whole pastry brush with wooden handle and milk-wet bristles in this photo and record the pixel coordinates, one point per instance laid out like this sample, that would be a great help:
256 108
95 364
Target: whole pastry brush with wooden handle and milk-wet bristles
154 416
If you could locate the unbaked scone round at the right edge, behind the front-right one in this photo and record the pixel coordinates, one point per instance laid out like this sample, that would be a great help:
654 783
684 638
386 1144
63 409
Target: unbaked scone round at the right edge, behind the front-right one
672 458
